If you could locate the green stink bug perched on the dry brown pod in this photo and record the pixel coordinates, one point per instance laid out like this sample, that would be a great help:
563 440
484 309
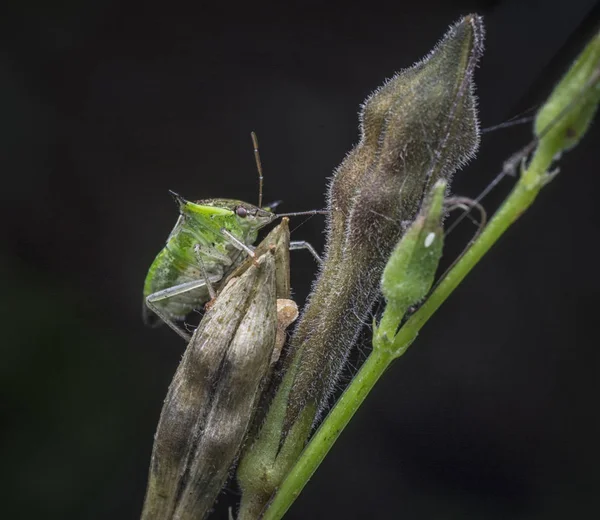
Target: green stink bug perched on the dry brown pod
210 239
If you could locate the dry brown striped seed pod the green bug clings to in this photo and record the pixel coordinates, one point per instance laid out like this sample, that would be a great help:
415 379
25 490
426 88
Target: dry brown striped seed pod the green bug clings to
217 387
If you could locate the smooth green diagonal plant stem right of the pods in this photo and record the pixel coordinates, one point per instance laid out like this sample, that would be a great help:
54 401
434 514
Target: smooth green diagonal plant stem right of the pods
522 196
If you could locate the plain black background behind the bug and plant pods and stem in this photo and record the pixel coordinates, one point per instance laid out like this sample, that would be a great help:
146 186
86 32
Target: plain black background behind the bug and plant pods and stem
106 105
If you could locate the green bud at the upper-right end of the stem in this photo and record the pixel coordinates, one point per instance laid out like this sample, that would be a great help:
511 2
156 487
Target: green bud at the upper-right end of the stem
568 112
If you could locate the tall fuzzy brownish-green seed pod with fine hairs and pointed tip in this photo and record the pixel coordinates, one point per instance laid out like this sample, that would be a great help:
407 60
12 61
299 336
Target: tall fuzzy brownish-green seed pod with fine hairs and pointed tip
417 128
